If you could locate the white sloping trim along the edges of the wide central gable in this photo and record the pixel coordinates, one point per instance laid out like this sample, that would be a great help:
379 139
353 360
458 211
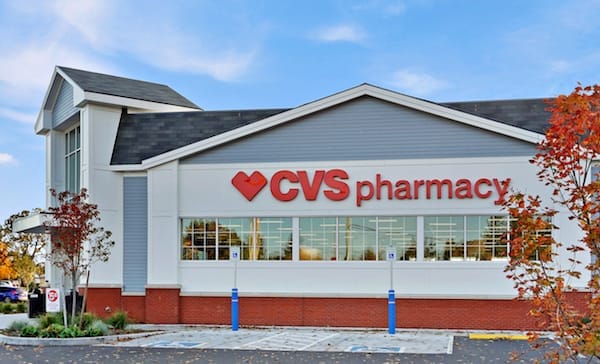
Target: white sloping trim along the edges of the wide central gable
333 100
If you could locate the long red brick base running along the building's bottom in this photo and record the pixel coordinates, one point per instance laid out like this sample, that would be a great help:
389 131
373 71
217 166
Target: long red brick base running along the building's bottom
166 305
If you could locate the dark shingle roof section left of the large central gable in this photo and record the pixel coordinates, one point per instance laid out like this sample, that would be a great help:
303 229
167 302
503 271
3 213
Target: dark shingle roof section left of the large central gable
142 136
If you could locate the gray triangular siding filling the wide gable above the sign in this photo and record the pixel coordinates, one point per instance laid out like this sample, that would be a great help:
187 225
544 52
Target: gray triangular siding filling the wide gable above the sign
366 129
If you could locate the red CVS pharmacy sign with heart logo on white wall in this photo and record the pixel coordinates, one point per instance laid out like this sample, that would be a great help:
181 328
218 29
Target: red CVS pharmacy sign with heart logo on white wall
336 185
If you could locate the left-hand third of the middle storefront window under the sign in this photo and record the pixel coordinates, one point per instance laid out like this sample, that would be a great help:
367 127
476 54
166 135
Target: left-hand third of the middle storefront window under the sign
318 238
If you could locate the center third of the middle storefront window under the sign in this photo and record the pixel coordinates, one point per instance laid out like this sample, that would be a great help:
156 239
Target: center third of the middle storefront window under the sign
356 238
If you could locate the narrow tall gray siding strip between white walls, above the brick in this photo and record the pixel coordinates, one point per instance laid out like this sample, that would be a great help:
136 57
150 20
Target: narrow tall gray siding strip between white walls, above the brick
135 234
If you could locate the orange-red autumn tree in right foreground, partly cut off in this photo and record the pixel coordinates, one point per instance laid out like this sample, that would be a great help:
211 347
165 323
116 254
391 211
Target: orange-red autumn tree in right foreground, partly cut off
566 160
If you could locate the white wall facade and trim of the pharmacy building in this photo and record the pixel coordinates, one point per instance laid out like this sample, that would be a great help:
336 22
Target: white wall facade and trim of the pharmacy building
185 190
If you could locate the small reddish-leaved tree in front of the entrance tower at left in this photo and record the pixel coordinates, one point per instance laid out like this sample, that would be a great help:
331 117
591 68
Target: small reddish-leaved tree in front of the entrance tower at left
77 241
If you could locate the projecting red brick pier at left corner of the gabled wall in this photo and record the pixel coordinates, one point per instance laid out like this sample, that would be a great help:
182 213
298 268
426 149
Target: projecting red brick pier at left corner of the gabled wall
162 305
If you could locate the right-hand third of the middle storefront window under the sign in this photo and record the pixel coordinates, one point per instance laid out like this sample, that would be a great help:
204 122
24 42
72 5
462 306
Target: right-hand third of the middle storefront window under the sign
399 232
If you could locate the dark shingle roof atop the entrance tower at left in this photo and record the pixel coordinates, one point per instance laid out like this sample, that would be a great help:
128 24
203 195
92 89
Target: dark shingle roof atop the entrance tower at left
126 87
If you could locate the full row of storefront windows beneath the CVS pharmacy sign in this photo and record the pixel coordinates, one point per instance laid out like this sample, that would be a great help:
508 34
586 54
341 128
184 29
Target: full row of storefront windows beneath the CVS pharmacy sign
351 238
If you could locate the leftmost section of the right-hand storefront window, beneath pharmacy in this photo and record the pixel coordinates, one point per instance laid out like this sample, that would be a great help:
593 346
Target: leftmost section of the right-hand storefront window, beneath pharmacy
444 238
